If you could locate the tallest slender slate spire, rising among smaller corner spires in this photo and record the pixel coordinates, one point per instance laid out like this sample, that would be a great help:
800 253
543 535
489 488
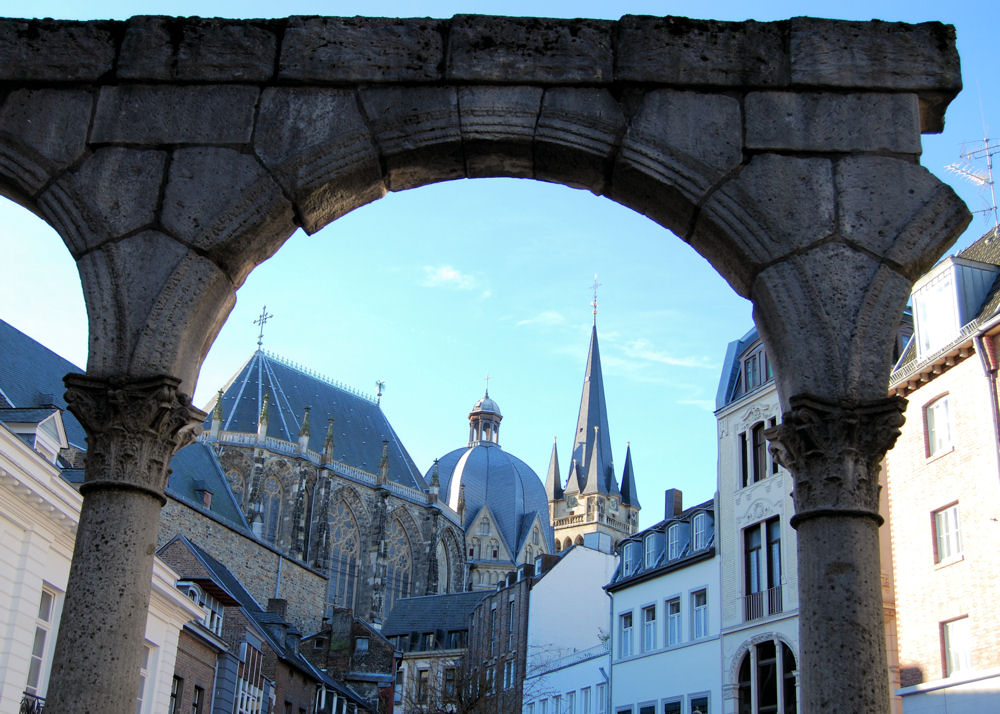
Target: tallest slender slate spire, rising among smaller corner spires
592 425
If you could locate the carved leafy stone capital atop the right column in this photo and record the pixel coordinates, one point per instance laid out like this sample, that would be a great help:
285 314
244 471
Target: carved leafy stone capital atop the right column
834 452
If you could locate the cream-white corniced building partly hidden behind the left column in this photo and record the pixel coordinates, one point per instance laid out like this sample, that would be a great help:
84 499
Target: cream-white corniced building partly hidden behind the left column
39 512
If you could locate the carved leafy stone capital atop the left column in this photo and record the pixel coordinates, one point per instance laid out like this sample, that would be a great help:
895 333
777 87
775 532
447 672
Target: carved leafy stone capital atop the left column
134 427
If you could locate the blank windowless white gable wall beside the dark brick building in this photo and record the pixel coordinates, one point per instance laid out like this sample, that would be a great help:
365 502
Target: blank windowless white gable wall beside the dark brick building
568 607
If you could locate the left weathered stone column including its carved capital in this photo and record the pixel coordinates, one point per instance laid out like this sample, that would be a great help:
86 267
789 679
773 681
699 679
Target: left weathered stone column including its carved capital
133 427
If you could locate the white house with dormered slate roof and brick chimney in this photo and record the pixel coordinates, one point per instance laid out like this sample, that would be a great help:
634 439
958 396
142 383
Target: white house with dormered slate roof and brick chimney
665 644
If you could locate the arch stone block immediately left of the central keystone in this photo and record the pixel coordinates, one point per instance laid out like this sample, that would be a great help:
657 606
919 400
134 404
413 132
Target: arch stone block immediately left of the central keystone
417 132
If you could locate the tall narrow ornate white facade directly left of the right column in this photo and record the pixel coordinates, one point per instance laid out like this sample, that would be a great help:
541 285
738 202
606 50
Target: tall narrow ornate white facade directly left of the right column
757 546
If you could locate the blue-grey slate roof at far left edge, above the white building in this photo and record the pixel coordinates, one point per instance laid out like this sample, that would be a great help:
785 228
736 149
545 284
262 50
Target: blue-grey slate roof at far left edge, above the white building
31 376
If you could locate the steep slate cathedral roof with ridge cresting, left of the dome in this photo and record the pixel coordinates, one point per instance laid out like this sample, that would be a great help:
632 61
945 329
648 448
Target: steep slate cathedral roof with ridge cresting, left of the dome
360 426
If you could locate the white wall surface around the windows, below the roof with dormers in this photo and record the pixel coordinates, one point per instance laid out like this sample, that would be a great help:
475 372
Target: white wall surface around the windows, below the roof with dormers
692 667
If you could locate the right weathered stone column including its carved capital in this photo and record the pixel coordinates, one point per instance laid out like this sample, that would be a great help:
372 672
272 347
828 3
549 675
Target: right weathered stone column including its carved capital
834 452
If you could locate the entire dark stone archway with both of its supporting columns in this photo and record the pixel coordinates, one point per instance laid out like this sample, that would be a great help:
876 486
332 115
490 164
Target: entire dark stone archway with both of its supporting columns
172 156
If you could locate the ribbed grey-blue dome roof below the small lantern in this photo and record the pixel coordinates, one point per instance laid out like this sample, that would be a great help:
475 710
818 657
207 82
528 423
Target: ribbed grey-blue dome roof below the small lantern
492 477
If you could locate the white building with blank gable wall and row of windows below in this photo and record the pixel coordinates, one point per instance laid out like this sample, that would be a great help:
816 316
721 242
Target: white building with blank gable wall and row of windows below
568 665
